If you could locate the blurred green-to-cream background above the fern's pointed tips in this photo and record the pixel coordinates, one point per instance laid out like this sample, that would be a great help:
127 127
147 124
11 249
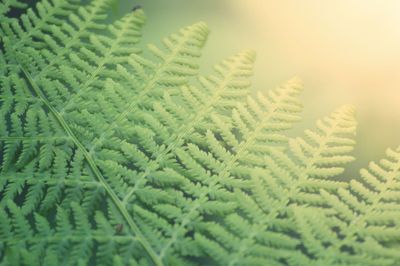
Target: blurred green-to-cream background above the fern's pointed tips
345 51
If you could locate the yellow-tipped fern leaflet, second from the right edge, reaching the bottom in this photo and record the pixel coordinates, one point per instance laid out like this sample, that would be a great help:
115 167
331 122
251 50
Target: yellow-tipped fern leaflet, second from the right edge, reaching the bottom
264 222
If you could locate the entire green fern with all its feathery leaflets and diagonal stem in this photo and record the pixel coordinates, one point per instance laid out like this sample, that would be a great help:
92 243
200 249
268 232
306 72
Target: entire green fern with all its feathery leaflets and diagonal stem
111 155
